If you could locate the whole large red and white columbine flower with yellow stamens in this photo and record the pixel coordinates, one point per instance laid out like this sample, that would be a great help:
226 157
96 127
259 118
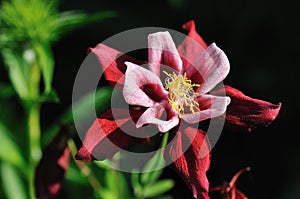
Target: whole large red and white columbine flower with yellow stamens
173 98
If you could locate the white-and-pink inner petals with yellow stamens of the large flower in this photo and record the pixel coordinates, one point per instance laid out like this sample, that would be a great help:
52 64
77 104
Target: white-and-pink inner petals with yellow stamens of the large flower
184 95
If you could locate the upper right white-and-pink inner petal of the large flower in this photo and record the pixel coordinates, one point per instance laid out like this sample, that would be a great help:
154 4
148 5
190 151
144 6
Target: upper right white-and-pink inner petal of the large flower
209 68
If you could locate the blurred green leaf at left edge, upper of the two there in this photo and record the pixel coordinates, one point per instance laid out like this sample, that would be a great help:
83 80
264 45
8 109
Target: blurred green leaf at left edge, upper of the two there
9 150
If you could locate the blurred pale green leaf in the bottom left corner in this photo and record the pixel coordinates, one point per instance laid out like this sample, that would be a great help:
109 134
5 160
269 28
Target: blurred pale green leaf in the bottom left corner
12 182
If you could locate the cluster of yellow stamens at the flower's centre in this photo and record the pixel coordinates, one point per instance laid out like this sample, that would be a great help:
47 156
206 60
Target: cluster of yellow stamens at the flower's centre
181 93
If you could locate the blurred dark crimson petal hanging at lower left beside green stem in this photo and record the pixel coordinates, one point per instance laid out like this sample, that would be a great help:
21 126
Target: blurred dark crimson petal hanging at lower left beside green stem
52 167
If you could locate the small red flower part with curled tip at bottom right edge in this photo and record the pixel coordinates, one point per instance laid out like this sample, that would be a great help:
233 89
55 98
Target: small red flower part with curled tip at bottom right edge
228 190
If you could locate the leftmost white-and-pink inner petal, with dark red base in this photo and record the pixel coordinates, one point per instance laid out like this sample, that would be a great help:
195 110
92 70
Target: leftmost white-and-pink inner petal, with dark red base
138 78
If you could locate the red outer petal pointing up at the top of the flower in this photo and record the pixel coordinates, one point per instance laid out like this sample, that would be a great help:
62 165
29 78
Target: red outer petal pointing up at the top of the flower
192 46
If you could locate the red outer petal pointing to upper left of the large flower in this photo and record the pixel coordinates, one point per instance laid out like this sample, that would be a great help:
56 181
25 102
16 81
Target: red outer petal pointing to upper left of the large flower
112 63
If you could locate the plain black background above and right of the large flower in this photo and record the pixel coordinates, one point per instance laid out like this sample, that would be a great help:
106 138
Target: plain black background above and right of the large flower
260 38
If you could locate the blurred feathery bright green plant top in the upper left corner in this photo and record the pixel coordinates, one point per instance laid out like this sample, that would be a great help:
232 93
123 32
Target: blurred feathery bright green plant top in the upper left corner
28 29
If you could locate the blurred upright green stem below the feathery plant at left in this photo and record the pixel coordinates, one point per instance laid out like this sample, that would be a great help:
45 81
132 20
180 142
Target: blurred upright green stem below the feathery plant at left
34 133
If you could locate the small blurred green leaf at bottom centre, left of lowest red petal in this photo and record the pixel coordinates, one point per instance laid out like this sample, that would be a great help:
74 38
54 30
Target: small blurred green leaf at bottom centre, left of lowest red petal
158 188
